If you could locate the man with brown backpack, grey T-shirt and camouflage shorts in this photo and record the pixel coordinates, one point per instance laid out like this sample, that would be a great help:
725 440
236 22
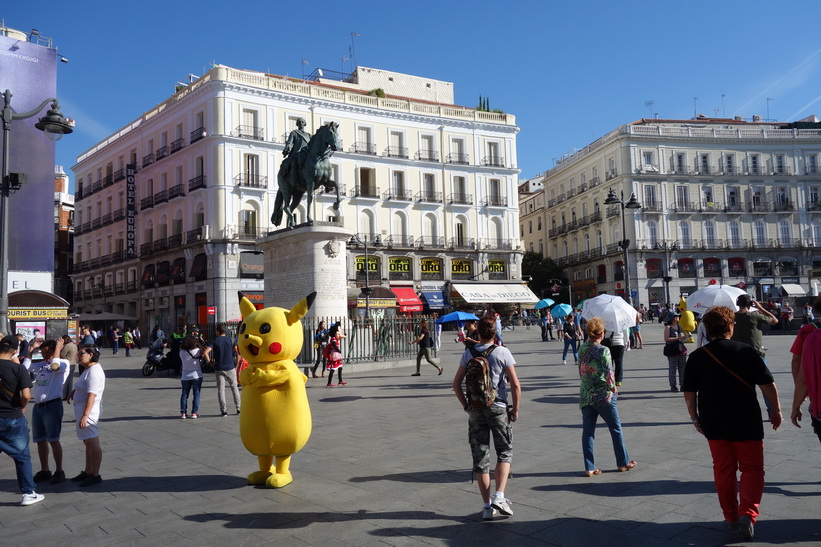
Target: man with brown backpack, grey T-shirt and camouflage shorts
484 396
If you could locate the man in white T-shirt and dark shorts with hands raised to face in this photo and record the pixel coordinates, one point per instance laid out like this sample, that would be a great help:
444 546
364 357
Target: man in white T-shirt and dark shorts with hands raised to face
47 417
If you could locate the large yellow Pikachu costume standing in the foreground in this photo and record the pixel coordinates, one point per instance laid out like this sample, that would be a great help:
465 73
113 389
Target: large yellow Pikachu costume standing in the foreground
276 419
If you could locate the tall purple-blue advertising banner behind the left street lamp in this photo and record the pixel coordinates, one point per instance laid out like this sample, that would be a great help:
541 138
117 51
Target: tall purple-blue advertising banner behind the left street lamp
29 71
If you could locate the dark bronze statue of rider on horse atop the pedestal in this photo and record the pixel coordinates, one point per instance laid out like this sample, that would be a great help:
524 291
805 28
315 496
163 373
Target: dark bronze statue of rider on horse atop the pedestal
311 170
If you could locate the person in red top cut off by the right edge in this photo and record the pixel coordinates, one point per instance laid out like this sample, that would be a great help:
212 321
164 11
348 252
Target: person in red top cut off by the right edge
806 371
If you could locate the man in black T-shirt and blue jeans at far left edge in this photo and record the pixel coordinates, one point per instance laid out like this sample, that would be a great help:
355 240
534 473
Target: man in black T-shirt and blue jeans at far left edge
14 431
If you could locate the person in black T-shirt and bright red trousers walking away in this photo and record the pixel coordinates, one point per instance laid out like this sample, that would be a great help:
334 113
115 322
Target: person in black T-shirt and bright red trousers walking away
719 390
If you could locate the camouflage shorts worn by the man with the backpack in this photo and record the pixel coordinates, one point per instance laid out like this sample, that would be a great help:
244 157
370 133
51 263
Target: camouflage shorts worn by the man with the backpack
482 423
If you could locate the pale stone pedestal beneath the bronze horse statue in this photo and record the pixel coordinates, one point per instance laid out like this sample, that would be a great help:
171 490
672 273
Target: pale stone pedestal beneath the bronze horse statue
305 259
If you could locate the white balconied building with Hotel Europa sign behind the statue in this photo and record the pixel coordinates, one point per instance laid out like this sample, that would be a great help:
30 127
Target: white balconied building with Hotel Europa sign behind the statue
168 209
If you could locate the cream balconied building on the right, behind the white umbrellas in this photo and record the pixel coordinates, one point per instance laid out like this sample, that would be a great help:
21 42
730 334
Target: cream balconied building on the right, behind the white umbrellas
723 201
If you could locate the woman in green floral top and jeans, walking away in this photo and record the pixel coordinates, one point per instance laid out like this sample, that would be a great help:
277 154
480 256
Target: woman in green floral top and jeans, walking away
597 397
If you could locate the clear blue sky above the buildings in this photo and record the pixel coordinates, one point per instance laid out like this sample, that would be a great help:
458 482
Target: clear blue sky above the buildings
569 71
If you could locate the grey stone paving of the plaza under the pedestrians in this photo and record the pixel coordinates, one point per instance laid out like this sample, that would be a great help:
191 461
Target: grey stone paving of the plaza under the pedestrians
388 464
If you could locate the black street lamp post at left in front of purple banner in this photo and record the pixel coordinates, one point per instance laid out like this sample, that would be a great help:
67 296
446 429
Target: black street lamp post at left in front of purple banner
54 125
